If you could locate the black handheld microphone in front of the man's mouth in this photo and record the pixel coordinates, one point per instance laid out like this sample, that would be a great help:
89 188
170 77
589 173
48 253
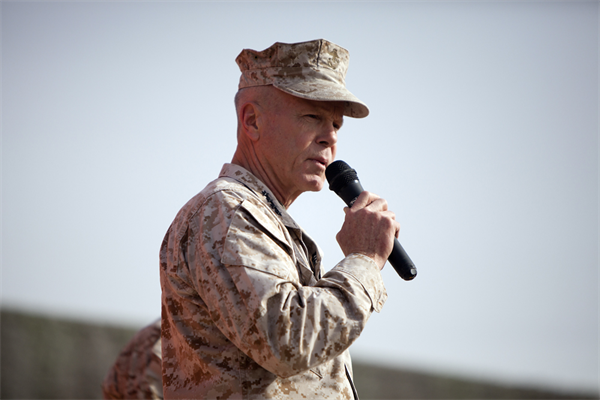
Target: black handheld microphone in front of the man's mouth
343 180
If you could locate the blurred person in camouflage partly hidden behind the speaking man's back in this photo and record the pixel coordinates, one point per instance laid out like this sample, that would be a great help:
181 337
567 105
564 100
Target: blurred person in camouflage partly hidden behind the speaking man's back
136 374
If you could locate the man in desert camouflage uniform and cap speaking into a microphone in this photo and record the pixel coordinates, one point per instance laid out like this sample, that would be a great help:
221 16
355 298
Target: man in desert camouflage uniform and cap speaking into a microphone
246 313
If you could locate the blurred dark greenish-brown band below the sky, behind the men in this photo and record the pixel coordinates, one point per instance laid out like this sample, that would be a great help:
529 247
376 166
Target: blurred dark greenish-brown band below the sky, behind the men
44 358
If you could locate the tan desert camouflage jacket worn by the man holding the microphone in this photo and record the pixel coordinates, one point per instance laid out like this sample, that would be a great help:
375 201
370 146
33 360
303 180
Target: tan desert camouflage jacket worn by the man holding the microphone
245 311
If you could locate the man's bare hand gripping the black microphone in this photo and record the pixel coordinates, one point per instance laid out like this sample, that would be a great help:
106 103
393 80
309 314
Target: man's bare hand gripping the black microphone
369 228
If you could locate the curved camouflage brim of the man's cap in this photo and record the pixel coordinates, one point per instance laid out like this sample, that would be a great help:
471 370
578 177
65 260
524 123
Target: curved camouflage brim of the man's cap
320 90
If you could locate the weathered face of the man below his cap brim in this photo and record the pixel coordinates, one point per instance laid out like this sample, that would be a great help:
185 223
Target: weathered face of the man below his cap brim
300 142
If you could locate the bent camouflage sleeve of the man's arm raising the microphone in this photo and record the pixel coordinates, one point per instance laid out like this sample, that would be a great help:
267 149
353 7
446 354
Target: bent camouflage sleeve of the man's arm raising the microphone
244 269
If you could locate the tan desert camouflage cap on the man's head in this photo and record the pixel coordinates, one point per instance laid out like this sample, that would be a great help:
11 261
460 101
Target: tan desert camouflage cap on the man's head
313 70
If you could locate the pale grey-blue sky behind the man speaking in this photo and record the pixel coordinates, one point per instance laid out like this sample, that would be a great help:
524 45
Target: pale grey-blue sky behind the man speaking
483 137
